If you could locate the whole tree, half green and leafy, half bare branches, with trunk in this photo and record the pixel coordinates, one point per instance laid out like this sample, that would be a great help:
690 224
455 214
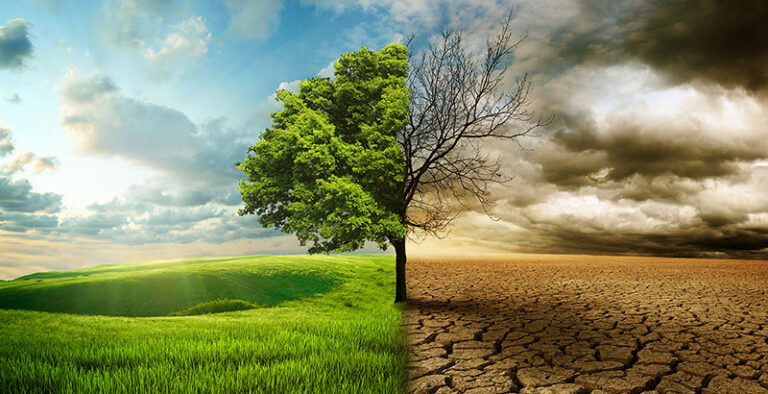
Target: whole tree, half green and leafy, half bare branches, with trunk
381 152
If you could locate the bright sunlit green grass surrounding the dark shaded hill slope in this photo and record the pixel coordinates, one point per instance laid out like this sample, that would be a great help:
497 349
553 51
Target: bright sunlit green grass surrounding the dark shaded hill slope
304 345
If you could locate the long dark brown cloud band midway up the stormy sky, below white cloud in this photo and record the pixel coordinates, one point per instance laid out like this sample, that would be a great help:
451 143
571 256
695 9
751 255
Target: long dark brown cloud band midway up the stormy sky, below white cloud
649 151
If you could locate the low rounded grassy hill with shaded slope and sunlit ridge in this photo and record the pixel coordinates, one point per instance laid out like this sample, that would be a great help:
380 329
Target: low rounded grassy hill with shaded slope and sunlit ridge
158 289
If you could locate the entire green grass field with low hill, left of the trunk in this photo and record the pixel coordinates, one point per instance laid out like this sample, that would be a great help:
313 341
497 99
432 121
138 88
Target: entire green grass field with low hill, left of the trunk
322 324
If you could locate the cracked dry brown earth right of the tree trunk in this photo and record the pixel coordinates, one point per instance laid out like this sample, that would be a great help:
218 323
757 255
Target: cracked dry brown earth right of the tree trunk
576 324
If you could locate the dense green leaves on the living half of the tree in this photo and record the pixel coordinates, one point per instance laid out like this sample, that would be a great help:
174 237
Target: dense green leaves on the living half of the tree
330 169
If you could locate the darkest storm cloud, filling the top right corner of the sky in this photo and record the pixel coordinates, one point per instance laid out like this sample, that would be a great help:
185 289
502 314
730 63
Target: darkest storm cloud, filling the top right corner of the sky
721 41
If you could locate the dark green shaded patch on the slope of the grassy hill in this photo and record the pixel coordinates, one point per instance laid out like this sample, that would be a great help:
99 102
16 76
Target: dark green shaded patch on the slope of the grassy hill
161 293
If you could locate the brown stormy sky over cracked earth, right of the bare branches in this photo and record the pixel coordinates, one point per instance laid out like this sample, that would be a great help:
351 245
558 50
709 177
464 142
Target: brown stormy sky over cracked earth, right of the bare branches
658 146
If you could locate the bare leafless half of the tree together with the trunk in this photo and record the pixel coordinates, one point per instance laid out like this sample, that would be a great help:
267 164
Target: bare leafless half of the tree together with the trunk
458 101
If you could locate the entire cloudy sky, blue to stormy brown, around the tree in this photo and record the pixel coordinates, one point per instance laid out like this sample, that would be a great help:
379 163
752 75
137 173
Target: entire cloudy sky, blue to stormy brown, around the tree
121 121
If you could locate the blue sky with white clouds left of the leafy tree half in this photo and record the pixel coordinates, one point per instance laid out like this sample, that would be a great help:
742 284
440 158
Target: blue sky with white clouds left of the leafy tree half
126 117
